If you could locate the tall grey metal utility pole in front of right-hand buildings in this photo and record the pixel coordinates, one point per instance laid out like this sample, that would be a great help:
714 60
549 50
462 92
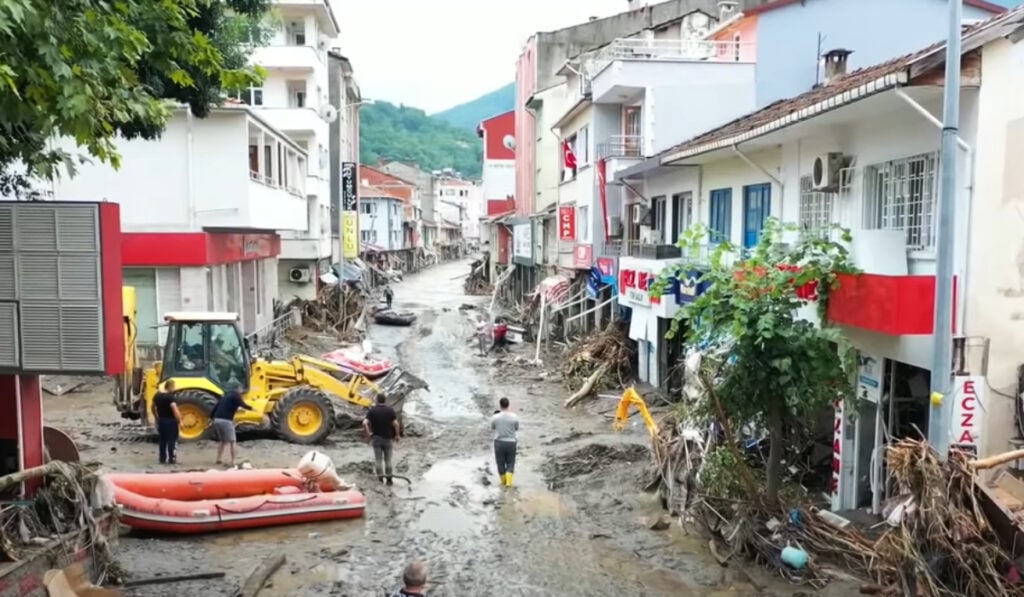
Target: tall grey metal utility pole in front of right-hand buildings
940 427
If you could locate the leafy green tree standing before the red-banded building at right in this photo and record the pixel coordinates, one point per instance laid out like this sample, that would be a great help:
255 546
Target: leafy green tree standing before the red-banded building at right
779 368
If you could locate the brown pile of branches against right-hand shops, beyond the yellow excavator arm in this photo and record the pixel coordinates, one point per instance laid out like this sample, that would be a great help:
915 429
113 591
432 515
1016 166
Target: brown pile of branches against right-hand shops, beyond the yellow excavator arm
601 361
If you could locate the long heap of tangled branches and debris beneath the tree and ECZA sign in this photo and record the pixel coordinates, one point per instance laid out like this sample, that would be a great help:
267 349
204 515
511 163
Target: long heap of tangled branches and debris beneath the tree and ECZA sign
938 542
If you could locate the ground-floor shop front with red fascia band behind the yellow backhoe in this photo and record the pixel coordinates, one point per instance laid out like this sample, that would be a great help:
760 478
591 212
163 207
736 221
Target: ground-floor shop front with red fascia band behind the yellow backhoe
197 272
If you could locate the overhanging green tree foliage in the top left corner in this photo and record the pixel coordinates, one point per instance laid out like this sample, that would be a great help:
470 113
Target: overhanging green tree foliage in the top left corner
94 70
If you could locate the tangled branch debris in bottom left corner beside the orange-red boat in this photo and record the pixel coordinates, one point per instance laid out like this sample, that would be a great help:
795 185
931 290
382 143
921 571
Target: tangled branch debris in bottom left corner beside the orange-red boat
63 511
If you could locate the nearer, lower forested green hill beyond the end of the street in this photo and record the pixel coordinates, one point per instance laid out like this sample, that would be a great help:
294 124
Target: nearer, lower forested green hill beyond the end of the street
401 133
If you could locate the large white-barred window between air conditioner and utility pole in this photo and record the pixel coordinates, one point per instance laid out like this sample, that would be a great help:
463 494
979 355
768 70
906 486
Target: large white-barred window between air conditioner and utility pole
901 196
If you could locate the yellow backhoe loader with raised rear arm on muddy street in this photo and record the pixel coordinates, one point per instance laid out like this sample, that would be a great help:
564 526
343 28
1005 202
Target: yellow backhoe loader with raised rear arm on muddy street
206 354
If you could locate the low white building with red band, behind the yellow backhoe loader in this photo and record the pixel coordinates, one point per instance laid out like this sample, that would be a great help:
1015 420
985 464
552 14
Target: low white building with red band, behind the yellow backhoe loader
200 211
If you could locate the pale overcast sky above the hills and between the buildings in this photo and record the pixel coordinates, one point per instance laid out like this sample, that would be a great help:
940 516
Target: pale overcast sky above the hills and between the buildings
437 54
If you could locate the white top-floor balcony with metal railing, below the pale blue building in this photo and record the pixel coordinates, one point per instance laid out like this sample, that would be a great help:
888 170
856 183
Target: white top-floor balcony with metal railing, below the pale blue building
624 69
